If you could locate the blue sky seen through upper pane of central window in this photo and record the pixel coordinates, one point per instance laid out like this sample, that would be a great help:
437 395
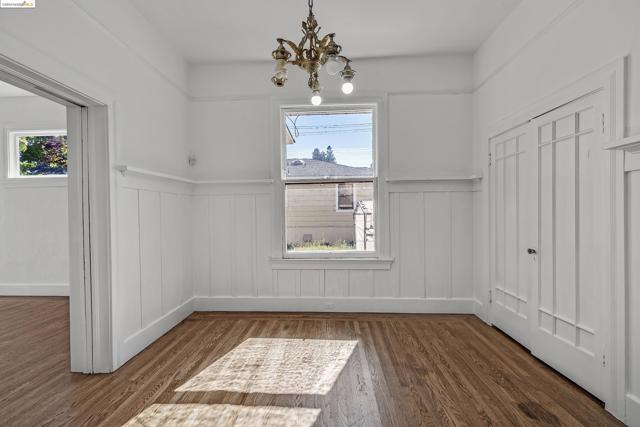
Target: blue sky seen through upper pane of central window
349 135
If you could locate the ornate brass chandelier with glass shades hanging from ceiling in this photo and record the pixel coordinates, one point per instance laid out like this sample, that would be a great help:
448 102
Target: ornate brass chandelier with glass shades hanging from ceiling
311 54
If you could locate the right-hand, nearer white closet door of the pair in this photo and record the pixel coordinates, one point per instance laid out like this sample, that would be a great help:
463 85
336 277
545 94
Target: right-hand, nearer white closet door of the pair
570 170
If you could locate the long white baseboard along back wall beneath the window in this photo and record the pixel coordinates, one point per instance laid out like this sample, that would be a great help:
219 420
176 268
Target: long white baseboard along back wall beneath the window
346 304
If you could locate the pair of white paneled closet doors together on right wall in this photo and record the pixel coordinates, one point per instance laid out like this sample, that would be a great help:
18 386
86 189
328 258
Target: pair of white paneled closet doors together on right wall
549 241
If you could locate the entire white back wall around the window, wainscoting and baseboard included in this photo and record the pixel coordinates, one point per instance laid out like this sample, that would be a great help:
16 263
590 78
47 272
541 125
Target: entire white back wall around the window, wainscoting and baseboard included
427 112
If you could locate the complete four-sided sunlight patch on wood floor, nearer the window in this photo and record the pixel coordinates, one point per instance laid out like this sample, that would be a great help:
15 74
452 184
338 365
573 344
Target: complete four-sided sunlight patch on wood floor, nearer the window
276 366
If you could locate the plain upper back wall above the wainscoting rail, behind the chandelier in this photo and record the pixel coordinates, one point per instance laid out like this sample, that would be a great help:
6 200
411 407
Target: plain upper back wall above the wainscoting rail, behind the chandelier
429 113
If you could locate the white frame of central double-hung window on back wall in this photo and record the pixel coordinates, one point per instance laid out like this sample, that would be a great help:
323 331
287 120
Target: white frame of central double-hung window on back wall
284 180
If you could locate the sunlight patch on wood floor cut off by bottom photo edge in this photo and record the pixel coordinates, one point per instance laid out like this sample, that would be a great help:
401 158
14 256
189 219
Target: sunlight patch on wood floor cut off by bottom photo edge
191 414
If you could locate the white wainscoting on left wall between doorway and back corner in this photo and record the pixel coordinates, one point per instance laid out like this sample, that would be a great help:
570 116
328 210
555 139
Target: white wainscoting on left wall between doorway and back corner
155 286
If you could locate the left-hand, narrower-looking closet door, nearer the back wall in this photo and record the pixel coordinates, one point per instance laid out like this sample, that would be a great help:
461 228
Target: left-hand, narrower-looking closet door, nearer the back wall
511 232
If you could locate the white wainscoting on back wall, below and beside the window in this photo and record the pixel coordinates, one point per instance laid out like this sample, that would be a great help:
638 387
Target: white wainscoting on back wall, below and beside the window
432 243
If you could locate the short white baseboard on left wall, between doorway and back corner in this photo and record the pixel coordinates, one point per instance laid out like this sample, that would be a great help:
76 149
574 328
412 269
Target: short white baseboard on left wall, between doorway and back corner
140 340
